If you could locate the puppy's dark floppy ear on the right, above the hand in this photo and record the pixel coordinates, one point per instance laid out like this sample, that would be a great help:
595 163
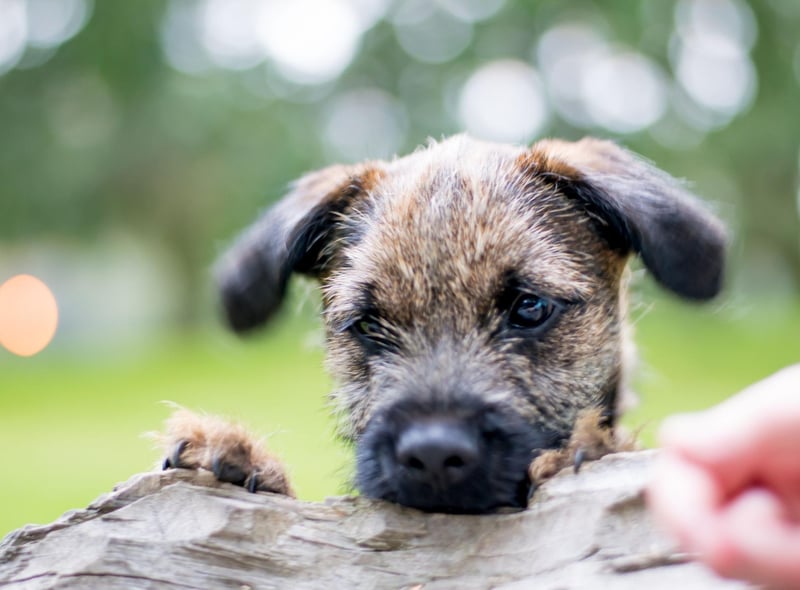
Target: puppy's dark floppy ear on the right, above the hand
643 209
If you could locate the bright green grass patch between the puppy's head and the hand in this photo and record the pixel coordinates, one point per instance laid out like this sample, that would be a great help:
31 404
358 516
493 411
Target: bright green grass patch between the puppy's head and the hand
692 357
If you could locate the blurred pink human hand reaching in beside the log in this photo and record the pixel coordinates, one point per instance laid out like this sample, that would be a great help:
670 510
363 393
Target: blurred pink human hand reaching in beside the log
727 483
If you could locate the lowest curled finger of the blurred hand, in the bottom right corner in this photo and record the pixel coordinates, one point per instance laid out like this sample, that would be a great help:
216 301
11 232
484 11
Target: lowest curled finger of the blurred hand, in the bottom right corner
760 543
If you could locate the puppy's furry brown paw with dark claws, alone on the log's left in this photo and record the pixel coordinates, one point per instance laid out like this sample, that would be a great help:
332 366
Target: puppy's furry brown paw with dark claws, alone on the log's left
193 441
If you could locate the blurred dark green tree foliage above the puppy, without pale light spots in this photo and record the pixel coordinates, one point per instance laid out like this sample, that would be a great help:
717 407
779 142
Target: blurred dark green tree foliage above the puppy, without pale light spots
105 134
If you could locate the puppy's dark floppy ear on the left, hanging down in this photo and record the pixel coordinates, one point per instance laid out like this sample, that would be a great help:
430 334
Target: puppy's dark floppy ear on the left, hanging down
292 236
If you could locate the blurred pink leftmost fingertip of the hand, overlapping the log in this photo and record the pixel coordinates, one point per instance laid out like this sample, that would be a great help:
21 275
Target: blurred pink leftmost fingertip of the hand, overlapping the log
684 500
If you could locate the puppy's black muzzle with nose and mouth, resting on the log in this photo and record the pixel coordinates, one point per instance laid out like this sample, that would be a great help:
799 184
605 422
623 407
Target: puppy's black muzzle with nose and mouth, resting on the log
469 460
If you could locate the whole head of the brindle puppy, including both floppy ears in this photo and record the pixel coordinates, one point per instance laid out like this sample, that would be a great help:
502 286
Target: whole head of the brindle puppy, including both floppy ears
473 298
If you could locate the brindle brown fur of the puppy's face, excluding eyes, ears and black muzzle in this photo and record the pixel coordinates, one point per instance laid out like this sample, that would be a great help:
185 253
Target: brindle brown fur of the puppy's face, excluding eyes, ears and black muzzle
429 260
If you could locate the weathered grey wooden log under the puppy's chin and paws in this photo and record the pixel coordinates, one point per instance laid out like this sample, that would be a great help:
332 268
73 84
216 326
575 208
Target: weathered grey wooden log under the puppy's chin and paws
182 529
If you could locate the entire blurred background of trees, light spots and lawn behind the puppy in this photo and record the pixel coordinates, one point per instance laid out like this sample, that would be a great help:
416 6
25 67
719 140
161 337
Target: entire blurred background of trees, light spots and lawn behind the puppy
136 138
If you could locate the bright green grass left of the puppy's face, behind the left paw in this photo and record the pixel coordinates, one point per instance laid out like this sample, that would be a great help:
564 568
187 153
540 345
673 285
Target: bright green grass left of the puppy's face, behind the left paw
71 427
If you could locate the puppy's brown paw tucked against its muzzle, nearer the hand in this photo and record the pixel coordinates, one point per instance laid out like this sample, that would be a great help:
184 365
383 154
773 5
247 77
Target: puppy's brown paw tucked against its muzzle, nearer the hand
591 439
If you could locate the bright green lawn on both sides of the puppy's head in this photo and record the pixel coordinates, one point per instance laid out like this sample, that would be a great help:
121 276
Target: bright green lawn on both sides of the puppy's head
71 423
